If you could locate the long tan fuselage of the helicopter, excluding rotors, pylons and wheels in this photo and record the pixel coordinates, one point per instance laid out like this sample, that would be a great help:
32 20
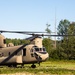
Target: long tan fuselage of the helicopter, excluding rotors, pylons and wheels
22 55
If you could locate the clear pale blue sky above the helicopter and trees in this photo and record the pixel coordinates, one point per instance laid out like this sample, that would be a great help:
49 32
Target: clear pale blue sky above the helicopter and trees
33 15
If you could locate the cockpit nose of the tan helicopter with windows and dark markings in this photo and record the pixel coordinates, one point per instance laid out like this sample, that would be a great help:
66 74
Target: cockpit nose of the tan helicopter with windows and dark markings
39 53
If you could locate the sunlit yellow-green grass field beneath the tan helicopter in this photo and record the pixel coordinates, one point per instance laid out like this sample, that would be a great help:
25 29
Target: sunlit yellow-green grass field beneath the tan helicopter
62 67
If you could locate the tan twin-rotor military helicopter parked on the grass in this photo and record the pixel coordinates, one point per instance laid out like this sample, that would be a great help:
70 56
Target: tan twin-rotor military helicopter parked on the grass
31 53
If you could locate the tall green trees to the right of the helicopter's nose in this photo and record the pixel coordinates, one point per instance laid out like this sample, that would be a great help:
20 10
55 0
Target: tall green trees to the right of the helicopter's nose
65 48
